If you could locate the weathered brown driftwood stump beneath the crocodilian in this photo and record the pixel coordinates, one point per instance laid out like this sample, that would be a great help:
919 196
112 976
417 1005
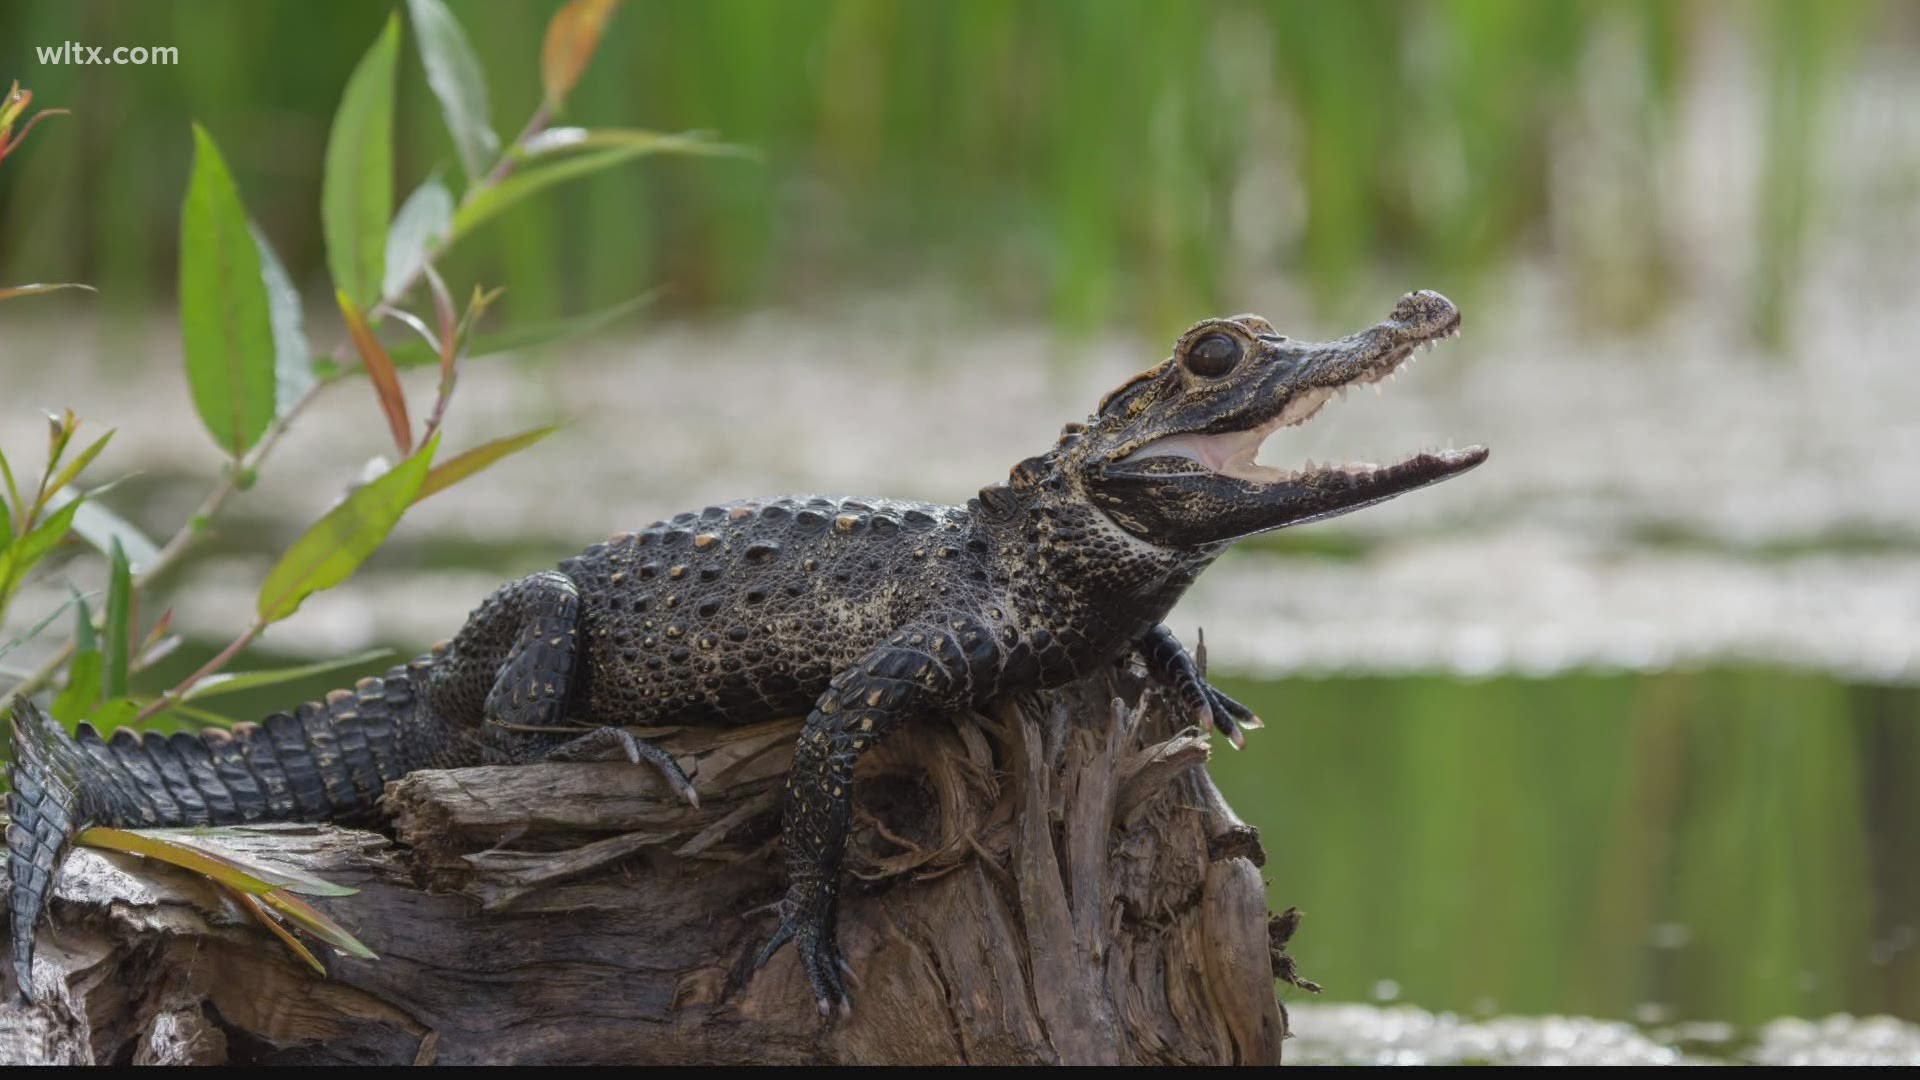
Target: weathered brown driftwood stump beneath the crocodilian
1059 883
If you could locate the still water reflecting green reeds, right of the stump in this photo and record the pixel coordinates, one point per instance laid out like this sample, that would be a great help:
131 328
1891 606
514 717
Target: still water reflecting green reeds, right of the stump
1731 845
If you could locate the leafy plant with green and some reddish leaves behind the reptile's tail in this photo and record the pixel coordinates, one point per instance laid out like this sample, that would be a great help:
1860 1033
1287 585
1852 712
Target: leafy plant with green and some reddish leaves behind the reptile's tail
252 370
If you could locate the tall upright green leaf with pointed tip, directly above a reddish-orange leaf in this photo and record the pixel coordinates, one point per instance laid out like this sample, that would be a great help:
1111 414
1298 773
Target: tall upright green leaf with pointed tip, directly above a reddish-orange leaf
358 187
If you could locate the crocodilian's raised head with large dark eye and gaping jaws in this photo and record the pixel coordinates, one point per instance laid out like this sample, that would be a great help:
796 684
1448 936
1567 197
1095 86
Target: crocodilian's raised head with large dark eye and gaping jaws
1170 454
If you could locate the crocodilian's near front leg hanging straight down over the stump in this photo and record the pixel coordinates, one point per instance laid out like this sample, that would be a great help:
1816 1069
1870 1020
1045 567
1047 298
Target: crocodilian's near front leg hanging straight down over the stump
921 670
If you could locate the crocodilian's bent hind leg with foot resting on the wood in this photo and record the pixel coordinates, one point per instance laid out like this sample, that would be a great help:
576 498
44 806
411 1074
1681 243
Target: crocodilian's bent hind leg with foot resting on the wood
516 668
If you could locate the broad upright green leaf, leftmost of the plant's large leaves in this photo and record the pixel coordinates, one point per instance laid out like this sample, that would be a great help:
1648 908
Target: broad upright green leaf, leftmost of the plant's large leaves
226 326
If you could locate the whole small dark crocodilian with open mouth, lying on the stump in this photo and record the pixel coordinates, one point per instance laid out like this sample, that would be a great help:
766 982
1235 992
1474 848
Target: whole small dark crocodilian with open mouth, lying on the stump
859 612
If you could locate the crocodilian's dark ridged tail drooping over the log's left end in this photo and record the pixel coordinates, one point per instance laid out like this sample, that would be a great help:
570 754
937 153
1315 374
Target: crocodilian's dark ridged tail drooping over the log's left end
324 762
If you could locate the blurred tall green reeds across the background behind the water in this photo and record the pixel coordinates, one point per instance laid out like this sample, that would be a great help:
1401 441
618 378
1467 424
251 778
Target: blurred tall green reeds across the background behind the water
1082 160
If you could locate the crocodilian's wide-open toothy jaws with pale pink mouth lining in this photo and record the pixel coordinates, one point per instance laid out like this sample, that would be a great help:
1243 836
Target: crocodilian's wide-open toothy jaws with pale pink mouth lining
1305 381
